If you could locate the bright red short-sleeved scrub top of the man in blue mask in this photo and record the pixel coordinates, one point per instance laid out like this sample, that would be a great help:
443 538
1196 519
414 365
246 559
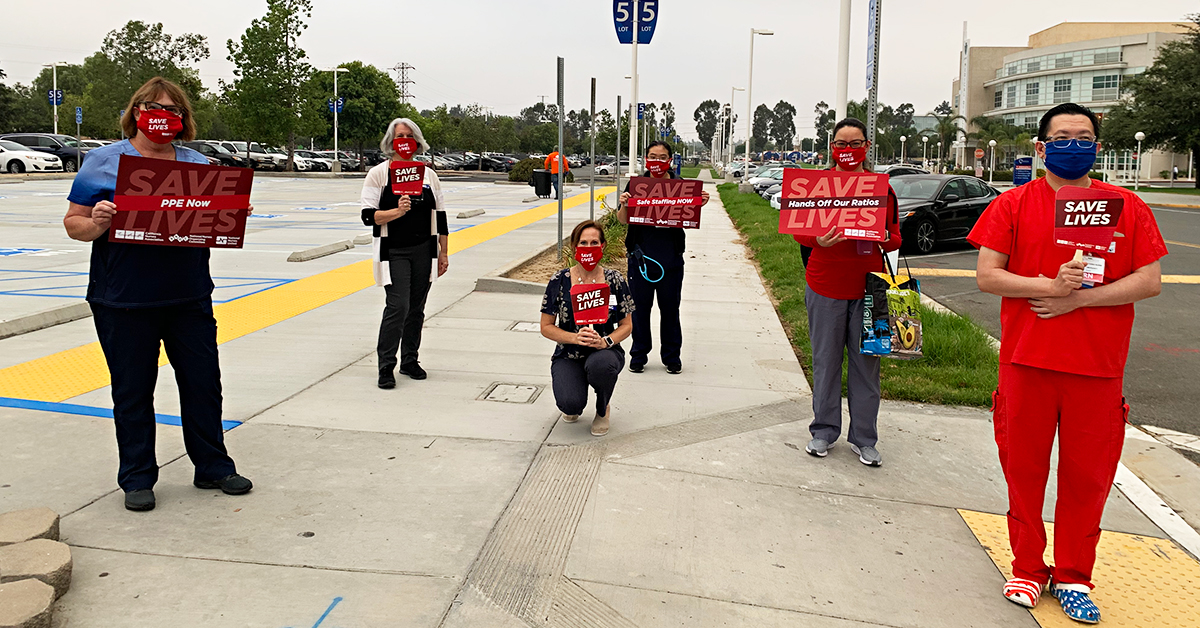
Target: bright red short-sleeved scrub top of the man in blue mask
1091 342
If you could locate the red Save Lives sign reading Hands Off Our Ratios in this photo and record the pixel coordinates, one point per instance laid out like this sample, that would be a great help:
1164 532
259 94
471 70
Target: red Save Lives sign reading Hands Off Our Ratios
818 201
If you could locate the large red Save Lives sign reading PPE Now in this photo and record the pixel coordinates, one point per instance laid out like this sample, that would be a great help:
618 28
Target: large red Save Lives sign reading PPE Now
177 204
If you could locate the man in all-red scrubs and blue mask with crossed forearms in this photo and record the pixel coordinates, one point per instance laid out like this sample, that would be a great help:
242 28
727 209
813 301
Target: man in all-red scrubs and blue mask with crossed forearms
1063 360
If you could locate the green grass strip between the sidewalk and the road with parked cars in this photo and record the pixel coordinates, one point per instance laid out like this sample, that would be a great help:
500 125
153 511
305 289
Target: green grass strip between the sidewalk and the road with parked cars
959 367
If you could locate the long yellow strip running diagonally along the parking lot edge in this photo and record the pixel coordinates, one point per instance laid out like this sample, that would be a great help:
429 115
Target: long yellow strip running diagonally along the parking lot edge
80 370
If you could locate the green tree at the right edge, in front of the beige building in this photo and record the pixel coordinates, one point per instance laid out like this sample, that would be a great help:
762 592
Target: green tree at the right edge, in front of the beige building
1162 101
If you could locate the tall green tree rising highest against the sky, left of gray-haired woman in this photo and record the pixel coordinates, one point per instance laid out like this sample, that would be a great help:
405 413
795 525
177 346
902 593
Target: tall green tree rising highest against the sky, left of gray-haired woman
268 95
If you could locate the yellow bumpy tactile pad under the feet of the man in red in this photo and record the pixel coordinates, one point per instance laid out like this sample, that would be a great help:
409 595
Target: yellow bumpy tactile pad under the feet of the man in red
1141 582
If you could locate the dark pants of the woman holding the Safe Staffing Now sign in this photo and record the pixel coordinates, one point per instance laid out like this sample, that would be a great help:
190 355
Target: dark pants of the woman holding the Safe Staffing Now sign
669 291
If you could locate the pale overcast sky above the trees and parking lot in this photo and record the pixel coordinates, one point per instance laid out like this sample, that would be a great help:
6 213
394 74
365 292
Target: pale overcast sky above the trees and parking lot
502 55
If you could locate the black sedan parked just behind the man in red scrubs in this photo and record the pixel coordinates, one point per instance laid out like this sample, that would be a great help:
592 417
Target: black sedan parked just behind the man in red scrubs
938 208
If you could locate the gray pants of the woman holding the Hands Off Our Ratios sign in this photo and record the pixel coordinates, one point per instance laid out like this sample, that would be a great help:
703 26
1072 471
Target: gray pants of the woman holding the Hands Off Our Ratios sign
836 327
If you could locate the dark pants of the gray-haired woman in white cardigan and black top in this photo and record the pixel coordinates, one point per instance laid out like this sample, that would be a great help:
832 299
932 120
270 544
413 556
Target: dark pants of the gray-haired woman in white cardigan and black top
404 314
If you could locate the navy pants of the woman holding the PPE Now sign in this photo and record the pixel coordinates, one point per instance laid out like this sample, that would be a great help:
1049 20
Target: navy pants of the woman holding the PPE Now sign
130 339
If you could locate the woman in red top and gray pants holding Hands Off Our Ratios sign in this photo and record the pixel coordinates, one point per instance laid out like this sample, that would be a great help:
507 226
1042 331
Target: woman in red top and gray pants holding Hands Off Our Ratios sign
837 282
